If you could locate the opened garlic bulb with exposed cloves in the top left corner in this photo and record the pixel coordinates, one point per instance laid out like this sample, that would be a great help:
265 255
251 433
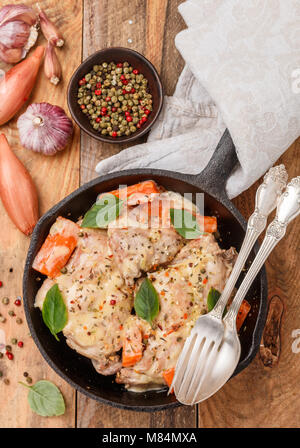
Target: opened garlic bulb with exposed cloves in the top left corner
18 32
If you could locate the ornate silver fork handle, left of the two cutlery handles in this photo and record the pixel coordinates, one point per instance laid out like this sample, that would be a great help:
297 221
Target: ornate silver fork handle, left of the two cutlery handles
265 201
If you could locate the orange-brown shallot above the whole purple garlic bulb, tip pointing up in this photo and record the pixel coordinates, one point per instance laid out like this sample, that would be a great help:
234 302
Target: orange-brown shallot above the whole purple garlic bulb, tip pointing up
17 84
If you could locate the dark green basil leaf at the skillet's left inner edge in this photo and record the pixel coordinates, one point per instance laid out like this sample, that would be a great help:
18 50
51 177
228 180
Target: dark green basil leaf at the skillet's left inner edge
54 311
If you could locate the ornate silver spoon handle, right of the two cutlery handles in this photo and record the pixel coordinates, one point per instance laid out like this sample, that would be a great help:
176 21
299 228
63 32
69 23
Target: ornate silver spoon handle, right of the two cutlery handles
287 210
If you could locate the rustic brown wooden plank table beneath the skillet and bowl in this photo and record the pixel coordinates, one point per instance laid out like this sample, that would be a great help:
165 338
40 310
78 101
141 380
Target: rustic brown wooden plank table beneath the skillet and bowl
260 396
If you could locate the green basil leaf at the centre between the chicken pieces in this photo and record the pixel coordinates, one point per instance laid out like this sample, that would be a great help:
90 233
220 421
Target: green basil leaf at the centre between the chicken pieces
146 302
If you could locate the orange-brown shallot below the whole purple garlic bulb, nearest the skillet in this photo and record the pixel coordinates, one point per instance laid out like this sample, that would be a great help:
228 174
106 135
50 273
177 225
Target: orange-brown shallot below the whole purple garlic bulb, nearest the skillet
17 190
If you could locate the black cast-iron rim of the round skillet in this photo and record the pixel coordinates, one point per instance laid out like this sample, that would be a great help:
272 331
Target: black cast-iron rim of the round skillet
193 180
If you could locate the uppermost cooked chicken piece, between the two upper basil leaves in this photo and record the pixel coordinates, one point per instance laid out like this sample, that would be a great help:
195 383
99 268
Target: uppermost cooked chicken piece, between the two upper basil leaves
142 238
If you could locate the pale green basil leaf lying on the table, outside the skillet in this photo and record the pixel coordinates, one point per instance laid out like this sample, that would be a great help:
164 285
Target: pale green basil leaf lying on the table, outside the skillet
45 399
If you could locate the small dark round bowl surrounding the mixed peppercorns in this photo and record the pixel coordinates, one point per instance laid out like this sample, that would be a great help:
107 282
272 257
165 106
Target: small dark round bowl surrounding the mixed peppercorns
116 54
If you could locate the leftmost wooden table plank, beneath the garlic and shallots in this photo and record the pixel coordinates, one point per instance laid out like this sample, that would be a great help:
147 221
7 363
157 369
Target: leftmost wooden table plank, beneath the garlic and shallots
55 177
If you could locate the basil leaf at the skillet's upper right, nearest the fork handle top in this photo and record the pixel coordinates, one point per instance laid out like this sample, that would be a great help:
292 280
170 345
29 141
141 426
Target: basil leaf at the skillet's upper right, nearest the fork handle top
185 223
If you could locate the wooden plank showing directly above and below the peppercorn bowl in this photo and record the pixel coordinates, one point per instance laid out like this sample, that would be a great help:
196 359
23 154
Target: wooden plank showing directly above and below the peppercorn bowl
106 24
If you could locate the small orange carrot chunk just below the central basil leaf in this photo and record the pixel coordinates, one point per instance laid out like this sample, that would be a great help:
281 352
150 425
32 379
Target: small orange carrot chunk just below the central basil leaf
132 347
